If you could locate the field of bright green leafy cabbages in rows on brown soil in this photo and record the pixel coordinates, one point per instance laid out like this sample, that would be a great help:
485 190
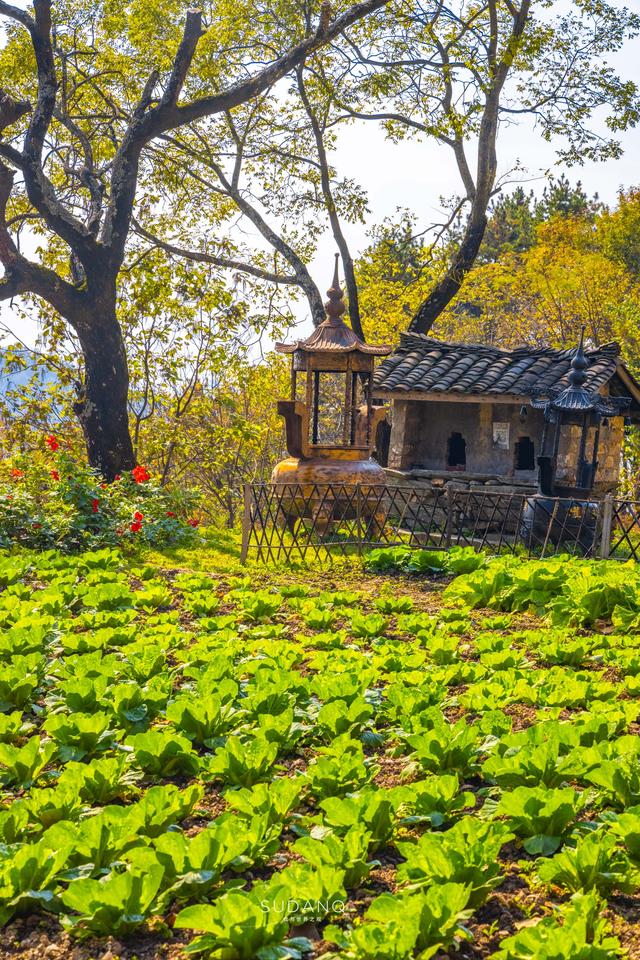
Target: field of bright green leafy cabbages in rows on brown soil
429 756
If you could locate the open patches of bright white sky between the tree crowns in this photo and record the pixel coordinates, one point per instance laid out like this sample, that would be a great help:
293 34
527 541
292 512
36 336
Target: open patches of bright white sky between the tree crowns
416 175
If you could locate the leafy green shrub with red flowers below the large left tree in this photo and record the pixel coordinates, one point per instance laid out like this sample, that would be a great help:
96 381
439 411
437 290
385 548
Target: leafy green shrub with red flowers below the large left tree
48 499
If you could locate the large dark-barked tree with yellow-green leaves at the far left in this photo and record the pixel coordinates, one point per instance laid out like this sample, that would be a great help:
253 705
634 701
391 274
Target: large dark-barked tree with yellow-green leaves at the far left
71 162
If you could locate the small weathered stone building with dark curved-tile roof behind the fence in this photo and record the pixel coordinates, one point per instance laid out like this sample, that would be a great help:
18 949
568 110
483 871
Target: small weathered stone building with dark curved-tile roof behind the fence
464 411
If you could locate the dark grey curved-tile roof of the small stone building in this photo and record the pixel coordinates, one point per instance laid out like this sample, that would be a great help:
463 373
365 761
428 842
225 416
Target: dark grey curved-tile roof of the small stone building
430 366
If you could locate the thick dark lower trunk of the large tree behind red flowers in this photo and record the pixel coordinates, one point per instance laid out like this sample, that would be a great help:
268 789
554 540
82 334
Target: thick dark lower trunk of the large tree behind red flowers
102 406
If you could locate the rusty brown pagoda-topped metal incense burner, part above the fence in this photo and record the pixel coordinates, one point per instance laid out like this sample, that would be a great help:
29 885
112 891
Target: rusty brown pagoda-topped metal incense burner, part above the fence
330 421
